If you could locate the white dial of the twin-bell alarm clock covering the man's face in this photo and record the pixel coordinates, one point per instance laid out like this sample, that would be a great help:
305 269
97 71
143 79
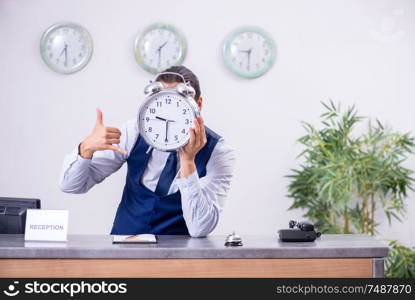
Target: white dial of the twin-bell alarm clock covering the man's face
165 119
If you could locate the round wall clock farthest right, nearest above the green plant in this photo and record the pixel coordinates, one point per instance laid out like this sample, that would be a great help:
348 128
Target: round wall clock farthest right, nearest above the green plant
249 52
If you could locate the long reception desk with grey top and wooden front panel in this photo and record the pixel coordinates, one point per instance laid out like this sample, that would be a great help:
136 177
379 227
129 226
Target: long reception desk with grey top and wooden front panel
182 256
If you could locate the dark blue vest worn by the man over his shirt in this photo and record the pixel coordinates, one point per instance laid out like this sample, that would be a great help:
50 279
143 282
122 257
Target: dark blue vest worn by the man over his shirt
142 210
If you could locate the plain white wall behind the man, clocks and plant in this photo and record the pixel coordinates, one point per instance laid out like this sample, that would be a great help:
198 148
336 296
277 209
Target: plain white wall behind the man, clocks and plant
357 51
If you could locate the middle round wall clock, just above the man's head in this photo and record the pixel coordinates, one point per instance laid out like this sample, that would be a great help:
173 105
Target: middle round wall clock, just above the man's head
159 47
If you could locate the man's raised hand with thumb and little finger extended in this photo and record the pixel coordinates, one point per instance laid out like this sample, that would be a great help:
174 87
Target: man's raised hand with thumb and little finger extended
101 138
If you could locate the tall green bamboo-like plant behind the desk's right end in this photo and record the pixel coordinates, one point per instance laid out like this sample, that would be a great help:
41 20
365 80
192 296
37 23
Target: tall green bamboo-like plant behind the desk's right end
346 177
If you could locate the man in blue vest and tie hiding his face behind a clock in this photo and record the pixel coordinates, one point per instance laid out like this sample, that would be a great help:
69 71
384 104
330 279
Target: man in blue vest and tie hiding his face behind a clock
165 193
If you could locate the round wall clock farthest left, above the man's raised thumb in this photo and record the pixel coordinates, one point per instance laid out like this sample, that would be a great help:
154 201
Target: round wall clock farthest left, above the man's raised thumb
66 47
